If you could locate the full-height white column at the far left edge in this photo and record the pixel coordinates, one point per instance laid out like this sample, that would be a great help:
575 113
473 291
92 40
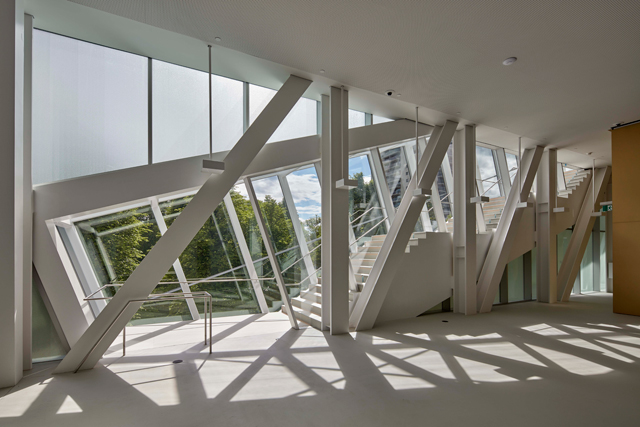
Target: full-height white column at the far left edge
11 190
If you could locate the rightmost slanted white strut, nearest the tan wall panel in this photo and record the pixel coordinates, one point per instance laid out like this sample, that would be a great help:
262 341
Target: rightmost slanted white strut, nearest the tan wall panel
581 232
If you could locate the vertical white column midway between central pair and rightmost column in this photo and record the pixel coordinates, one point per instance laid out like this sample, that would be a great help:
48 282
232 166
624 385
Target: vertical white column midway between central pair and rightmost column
464 230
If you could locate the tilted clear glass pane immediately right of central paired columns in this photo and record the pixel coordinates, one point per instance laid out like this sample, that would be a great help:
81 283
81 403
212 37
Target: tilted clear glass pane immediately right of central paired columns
365 211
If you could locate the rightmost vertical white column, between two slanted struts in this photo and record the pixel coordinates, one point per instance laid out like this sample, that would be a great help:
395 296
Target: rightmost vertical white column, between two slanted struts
546 261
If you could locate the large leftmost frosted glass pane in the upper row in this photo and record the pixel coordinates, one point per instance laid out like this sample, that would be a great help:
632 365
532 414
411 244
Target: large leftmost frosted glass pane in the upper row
89 108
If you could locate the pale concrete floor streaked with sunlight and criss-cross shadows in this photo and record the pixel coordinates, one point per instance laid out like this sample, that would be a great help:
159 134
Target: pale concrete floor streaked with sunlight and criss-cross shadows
526 364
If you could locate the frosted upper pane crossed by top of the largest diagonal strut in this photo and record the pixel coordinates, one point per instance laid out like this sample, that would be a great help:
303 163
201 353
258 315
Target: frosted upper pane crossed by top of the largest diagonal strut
301 121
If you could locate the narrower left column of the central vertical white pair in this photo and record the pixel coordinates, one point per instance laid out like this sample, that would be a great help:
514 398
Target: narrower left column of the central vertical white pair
326 188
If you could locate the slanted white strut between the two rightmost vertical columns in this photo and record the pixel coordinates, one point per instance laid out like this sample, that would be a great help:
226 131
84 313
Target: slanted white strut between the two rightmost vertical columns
506 233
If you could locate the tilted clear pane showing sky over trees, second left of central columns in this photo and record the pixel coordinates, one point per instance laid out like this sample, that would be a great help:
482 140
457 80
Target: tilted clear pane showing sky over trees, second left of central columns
276 216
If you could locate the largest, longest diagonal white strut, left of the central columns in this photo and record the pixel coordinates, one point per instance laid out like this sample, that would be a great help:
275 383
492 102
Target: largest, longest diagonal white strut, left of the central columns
101 333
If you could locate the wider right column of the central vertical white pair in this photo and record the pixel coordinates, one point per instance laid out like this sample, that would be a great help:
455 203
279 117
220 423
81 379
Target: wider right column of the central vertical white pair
337 158
